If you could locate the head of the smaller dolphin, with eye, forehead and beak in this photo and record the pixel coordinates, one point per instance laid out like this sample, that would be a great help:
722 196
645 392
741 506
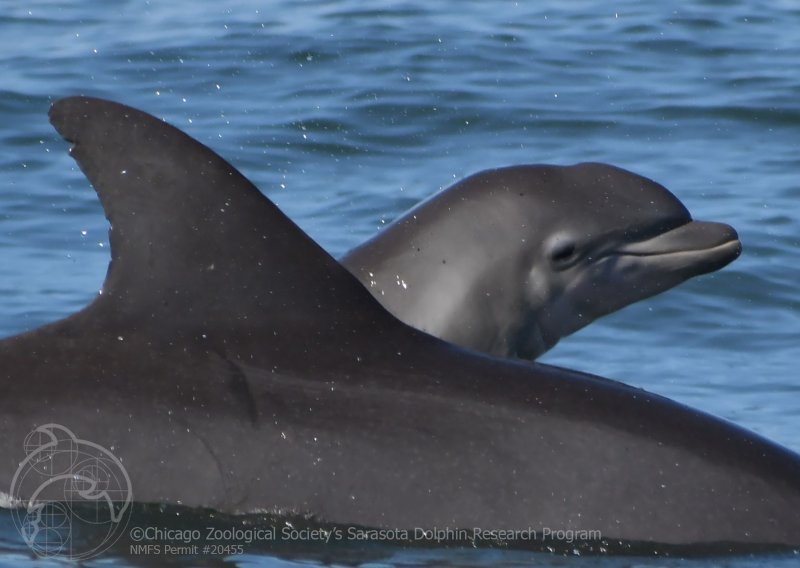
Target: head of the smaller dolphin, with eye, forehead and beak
613 238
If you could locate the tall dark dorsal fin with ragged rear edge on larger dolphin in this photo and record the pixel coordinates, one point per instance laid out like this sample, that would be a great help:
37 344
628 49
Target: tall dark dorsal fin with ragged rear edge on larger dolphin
193 242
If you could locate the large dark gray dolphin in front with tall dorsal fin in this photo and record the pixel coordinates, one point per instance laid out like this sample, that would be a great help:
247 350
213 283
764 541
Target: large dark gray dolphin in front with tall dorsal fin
231 363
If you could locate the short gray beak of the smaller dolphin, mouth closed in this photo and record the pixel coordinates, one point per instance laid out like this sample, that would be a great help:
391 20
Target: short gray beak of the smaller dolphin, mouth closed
697 246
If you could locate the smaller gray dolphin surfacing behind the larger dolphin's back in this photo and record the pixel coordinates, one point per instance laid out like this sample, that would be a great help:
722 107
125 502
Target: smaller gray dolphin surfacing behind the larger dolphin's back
509 261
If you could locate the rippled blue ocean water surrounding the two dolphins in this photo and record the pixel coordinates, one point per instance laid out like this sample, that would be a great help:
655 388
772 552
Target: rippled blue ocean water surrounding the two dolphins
347 113
